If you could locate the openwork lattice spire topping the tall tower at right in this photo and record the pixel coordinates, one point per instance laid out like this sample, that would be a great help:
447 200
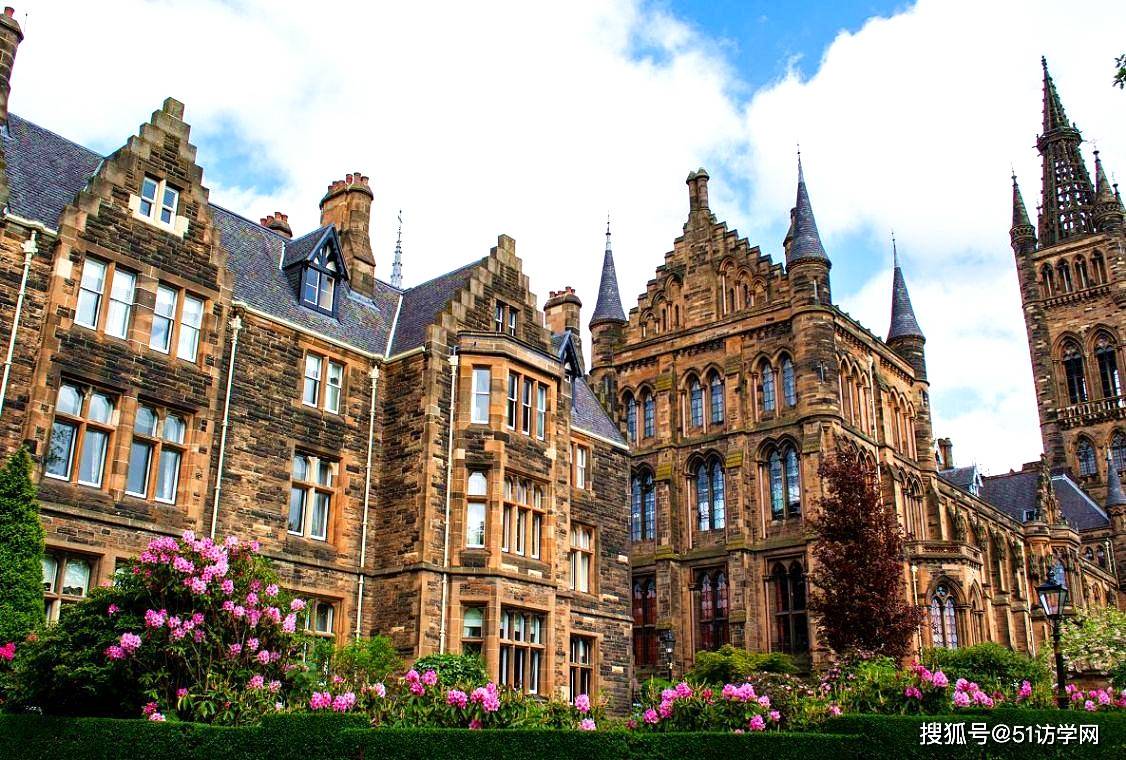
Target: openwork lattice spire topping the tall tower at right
1068 195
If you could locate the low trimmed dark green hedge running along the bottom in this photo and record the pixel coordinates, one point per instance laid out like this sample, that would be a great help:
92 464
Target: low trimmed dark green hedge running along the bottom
347 738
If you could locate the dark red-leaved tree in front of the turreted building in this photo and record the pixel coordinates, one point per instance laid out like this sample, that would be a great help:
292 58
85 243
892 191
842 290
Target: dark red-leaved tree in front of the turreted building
857 580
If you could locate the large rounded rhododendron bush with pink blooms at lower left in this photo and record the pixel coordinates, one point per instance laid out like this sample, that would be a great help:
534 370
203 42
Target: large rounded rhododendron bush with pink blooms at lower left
193 629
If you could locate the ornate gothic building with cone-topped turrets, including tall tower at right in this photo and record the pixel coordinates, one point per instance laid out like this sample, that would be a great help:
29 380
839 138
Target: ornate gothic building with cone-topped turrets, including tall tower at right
736 377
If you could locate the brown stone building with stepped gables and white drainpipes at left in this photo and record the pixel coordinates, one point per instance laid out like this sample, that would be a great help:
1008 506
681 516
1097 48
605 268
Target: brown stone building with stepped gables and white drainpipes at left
426 463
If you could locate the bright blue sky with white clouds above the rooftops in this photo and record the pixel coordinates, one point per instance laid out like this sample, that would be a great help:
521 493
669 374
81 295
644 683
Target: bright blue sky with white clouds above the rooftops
535 121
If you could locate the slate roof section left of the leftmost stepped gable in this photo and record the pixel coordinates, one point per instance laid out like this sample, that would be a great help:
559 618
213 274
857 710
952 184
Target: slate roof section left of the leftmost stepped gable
46 172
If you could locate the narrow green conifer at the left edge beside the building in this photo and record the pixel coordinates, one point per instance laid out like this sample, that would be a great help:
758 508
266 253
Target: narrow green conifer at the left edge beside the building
21 551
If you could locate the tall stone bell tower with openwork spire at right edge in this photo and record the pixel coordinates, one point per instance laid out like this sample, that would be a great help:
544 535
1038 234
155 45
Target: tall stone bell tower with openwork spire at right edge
1074 289
